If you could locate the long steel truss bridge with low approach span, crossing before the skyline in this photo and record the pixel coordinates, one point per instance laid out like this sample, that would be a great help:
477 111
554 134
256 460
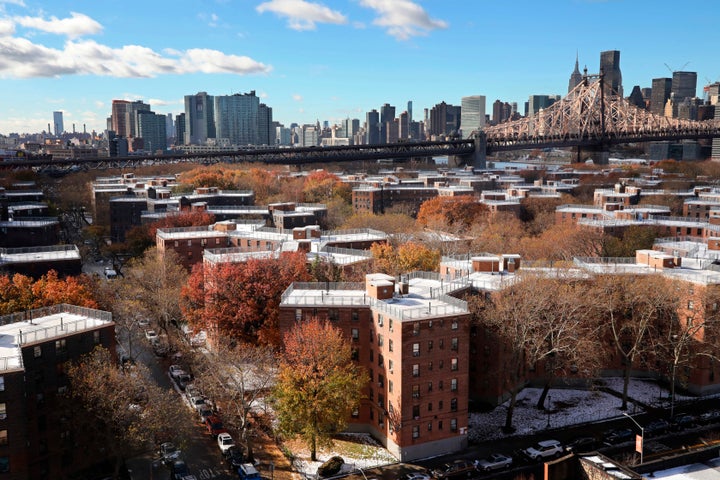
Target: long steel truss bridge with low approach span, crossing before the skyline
587 117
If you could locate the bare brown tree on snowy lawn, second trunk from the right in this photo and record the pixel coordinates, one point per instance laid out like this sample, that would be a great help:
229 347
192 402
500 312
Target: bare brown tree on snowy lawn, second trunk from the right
633 309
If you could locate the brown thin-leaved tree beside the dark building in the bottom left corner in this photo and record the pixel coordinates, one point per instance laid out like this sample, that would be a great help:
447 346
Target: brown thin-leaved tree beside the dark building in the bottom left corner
120 412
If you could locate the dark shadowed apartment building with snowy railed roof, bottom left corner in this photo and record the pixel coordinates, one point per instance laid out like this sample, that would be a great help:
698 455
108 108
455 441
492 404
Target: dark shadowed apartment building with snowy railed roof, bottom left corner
35 440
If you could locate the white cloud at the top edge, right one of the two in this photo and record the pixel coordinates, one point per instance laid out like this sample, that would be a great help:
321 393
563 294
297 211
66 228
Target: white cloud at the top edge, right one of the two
403 18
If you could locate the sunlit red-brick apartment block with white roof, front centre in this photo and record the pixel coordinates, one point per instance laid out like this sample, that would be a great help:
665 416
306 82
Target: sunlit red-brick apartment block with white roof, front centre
413 340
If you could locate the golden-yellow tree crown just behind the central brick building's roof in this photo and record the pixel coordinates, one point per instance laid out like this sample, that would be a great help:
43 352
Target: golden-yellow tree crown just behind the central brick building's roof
408 257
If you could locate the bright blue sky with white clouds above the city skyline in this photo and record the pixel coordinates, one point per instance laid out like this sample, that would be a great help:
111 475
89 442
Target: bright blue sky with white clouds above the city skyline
331 59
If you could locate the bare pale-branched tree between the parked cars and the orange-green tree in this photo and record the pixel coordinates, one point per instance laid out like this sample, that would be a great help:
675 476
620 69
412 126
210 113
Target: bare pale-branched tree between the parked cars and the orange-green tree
238 377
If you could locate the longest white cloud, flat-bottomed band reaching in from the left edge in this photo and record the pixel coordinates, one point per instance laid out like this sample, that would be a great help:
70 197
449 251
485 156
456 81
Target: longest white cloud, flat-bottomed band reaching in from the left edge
91 58
